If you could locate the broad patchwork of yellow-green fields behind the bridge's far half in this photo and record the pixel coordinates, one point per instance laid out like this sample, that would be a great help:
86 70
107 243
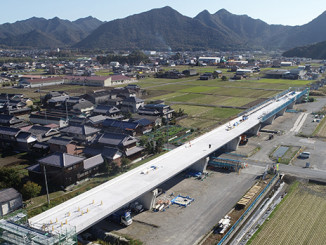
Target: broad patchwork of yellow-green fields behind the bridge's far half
203 101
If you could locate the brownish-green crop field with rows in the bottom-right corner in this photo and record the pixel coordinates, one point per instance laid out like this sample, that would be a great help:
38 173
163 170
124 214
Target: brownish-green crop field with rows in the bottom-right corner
297 220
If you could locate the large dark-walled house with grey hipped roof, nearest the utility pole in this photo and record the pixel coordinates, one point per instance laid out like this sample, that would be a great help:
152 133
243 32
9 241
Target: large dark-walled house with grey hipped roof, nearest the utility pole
63 169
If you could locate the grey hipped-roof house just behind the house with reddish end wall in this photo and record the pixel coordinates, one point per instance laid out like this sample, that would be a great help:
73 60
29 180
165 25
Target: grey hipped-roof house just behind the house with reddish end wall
81 133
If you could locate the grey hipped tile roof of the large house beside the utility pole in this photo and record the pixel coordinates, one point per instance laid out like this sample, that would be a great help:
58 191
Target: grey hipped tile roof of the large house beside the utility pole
61 160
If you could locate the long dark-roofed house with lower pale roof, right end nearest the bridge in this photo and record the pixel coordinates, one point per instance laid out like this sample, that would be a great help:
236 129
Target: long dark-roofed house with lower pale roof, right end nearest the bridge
125 143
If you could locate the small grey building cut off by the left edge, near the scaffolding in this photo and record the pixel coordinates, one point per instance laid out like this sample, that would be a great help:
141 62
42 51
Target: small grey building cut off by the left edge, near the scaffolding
10 200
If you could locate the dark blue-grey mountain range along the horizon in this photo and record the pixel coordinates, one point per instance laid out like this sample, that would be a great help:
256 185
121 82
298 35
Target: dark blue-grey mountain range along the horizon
163 29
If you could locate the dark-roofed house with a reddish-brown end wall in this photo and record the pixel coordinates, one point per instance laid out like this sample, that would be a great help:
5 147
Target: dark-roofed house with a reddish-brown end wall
64 145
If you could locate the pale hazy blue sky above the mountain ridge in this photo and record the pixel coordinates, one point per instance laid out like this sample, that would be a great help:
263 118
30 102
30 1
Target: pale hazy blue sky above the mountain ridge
286 12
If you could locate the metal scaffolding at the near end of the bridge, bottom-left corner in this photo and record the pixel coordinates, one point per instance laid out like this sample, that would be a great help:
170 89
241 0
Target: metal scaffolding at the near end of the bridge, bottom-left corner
15 233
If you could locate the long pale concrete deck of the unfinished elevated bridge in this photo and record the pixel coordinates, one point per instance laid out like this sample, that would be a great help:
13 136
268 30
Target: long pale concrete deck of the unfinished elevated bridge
92 206
